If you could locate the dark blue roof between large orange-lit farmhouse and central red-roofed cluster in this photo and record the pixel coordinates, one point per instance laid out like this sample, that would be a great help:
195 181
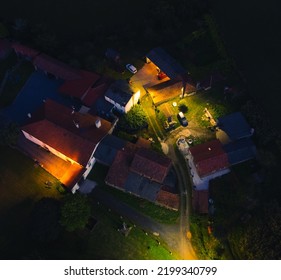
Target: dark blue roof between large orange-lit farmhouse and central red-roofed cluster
108 148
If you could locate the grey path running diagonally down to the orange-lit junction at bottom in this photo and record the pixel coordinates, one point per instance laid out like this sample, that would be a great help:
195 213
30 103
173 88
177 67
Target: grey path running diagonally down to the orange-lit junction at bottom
181 248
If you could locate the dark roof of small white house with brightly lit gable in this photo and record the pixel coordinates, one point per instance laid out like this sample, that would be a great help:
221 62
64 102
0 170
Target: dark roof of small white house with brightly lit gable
120 92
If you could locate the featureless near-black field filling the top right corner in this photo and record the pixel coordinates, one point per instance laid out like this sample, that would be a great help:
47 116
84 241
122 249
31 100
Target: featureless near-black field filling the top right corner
251 30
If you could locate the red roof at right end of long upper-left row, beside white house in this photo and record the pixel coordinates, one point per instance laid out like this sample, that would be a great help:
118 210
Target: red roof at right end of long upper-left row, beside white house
79 87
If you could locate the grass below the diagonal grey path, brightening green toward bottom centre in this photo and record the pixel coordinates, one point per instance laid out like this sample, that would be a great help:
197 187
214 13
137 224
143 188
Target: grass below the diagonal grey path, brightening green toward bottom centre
106 242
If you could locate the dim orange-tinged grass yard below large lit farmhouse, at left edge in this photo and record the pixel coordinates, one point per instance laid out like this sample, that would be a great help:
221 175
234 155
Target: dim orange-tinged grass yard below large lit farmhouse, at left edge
21 184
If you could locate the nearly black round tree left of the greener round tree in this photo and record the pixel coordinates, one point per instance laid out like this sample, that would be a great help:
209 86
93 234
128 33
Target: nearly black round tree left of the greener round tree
44 222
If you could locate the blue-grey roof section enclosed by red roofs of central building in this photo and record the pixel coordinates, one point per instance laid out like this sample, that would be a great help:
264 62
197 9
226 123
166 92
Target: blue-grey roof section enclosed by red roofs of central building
142 186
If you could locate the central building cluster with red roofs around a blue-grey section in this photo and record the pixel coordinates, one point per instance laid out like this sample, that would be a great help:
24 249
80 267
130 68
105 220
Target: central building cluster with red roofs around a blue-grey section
144 173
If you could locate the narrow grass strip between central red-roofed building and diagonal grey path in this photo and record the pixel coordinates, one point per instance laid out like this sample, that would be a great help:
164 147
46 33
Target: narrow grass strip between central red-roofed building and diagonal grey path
148 208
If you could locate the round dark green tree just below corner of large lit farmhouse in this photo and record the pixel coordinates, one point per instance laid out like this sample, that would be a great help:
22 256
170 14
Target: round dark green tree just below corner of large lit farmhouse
75 211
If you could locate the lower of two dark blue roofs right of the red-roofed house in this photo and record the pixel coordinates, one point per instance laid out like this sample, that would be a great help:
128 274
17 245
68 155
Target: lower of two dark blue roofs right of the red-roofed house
240 150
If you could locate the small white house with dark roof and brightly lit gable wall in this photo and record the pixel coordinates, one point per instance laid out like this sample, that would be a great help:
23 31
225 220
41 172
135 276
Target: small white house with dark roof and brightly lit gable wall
122 95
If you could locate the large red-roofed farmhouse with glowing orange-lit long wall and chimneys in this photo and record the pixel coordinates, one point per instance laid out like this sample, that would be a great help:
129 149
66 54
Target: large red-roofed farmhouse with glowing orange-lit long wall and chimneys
70 136
